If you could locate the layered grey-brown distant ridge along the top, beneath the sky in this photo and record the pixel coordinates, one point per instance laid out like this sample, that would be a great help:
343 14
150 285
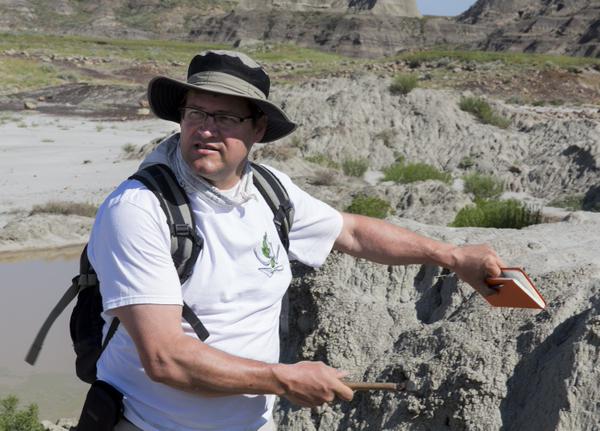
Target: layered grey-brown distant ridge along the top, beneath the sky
362 28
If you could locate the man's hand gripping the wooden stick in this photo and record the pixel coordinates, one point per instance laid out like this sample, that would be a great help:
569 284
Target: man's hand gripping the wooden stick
311 384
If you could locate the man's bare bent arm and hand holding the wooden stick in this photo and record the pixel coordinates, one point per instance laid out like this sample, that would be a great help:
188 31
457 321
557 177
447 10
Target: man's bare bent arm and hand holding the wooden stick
171 357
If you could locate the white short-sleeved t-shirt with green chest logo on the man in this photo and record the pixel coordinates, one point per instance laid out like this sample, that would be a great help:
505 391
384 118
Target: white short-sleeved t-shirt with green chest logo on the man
236 289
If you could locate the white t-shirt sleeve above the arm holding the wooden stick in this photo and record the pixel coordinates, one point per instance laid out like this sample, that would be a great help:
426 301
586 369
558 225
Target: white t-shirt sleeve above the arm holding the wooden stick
129 248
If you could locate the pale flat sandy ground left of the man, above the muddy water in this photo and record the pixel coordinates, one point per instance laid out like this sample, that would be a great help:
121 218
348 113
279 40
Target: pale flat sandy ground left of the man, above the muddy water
45 158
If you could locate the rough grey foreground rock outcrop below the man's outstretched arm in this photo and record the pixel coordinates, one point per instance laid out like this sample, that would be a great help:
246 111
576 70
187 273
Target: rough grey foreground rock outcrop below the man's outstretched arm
465 365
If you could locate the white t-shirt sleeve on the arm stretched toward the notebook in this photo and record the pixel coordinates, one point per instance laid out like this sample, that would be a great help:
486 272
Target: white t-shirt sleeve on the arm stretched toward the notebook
315 227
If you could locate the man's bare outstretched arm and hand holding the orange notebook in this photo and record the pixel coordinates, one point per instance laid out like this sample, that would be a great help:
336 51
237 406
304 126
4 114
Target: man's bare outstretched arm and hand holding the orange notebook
383 242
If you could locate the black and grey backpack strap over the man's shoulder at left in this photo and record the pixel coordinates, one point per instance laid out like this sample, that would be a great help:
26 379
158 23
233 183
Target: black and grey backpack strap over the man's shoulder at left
186 245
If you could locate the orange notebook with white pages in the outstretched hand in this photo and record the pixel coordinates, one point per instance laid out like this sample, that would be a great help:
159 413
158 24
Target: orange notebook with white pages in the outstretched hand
515 289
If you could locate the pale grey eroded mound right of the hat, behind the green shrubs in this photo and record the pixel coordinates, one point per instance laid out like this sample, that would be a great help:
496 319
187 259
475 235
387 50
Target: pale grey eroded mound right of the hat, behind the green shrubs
545 152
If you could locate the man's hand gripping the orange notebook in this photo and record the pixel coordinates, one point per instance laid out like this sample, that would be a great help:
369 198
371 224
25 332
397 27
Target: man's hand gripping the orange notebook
474 263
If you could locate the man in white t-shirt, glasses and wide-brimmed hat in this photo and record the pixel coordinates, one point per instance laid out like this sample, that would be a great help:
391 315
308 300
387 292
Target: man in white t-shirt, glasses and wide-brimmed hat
170 379
